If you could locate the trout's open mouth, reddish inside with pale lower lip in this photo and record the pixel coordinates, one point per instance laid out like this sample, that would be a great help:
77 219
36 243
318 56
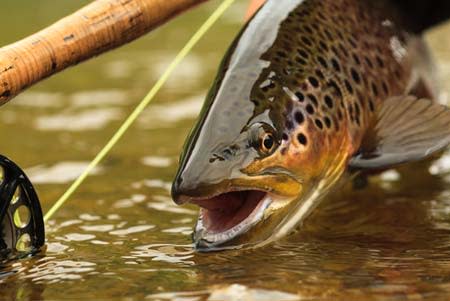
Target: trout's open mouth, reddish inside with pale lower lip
225 216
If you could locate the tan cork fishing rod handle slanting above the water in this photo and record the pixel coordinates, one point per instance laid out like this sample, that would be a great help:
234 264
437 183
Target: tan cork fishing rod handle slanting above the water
96 28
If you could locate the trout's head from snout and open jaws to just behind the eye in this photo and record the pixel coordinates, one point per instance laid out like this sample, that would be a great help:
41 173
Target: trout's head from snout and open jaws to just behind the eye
249 163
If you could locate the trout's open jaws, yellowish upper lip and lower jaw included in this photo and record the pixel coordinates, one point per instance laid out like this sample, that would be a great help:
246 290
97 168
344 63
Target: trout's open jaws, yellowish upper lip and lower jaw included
235 208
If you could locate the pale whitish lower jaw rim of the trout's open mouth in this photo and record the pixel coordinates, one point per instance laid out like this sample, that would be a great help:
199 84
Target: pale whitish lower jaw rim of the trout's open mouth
210 239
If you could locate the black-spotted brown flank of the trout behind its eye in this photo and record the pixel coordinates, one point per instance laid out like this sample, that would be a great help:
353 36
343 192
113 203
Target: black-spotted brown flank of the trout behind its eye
329 69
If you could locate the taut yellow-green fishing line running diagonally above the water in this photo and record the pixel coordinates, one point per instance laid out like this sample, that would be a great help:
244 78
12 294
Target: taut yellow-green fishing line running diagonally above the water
141 106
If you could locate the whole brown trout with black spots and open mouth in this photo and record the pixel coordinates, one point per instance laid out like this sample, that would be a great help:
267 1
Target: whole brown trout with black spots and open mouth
309 93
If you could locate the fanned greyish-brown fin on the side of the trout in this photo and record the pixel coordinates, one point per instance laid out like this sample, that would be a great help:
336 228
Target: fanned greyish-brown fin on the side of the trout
405 129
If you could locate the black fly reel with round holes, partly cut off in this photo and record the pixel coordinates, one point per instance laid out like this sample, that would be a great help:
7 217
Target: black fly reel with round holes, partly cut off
21 222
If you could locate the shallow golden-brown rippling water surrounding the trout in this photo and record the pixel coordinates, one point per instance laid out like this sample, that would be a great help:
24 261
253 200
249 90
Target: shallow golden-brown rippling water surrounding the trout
121 236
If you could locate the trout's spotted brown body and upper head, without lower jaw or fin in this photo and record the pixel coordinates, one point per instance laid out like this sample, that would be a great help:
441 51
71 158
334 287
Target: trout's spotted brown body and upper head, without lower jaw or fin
314 74
